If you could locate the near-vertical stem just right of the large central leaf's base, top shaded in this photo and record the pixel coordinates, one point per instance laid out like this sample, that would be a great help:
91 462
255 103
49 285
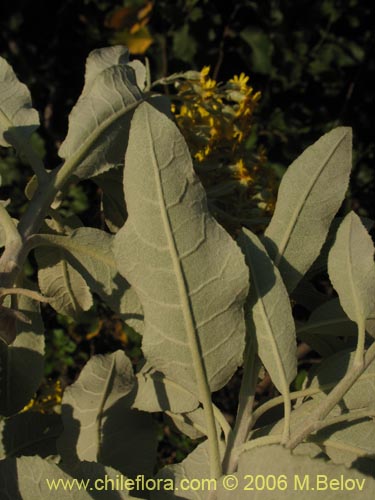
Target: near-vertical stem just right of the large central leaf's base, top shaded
244 418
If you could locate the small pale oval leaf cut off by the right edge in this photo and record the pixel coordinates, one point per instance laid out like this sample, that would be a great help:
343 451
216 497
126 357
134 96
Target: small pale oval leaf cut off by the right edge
351 269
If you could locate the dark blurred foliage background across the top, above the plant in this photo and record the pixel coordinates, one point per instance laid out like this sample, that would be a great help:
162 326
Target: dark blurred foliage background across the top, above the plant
313 62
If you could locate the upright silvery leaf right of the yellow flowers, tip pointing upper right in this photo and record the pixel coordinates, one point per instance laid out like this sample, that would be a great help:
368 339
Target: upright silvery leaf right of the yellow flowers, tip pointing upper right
310 195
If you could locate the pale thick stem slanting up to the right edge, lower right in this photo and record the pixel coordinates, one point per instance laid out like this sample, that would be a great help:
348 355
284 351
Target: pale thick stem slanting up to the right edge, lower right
332 399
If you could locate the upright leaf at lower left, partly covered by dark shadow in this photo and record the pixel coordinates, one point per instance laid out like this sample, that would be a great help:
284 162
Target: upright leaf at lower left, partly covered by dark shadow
98 422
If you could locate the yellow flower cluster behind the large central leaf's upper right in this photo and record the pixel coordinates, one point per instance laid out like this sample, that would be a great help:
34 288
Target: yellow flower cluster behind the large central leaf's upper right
217 123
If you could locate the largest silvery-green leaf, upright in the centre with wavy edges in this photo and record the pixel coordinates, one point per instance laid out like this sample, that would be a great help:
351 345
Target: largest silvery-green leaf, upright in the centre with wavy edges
188 273
